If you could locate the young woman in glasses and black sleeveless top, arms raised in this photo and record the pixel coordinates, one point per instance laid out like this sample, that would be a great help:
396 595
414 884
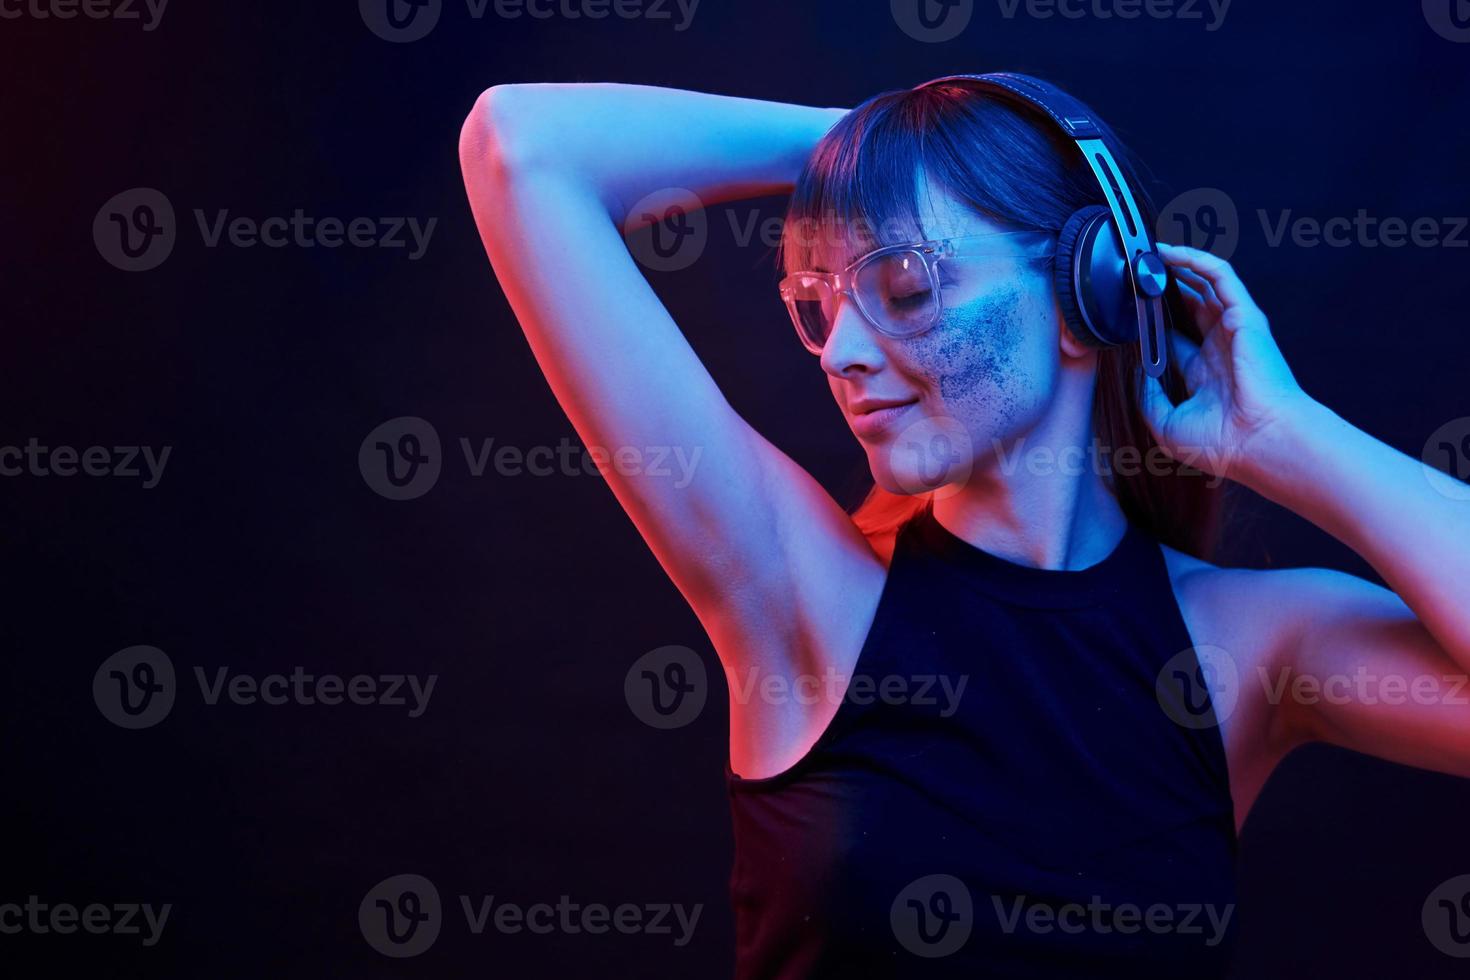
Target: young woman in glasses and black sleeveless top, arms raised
1050 710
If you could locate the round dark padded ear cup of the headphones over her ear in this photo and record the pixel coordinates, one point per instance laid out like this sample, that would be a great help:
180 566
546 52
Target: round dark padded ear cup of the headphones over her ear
1091 280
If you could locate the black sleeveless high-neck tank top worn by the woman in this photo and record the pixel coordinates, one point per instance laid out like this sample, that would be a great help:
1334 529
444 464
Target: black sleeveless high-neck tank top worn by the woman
1059 816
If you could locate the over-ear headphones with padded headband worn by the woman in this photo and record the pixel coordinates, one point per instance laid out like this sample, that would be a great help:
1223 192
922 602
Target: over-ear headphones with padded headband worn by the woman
1109 277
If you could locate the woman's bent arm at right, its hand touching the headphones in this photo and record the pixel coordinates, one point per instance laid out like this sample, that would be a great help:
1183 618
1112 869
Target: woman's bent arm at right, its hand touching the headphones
1380 671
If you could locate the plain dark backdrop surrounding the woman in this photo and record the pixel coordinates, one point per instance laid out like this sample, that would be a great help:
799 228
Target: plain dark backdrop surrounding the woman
528 777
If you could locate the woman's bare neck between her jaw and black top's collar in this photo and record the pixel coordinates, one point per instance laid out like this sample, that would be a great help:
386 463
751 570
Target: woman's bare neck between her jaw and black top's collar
1037 500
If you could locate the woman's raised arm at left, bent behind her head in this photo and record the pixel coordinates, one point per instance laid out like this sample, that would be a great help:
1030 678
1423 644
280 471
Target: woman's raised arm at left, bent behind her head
753 543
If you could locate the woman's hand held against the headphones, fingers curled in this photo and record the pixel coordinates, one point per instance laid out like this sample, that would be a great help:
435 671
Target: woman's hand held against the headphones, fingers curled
1240 386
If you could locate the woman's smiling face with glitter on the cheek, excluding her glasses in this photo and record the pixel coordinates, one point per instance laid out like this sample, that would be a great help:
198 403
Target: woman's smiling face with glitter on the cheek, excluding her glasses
983 377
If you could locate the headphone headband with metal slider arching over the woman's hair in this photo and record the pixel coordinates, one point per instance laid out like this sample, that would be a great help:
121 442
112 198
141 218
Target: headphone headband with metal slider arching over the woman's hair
1147 274
